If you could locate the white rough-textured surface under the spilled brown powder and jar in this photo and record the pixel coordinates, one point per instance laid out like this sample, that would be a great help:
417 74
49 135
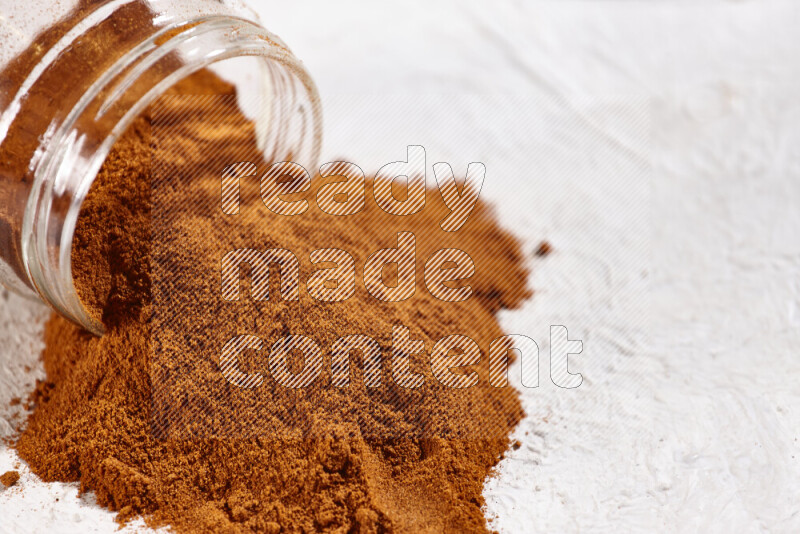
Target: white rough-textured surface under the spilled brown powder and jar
688 418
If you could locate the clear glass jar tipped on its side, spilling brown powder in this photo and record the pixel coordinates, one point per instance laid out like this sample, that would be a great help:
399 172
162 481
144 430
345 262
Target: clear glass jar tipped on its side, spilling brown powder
74 74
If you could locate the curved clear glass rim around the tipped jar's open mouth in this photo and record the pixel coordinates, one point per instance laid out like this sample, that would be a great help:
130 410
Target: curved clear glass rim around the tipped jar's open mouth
66 168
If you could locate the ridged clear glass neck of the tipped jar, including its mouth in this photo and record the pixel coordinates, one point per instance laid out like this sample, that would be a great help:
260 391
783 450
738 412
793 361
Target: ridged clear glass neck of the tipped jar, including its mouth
73 149
